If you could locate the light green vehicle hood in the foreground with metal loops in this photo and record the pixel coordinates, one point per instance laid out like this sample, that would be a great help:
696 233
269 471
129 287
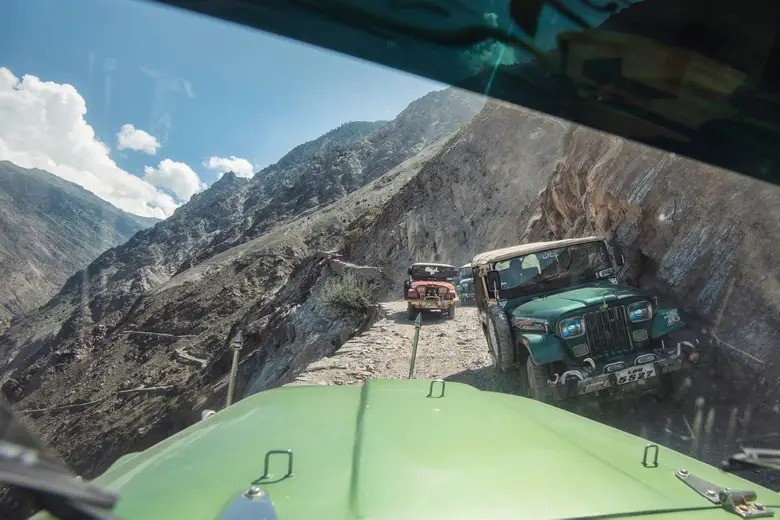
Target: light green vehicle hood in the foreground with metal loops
386 450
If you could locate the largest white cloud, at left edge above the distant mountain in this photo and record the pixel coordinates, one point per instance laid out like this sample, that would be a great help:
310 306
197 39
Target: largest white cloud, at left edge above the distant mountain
43 126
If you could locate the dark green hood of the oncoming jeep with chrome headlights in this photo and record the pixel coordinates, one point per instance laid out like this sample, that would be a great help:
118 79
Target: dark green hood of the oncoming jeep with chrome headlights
551 306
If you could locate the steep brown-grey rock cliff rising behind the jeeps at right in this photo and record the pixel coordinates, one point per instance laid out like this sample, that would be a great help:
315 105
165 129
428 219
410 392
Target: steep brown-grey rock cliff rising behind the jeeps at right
701 237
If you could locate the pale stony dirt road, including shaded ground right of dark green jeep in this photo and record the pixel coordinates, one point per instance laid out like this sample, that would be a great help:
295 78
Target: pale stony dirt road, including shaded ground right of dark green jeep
455 350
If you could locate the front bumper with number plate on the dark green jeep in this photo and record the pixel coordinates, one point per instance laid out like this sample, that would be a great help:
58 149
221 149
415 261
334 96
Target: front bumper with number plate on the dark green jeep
628 380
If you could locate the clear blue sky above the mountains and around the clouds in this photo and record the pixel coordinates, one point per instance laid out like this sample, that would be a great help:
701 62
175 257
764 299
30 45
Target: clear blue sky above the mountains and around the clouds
201 87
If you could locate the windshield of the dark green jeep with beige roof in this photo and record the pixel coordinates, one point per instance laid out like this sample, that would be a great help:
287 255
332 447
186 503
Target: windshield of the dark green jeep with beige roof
554 268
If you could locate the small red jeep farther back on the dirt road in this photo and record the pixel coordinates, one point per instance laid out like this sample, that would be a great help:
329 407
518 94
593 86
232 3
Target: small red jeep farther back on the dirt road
430 288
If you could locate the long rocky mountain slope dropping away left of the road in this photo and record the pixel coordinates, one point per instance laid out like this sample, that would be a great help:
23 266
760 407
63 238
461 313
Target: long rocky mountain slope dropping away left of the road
137 341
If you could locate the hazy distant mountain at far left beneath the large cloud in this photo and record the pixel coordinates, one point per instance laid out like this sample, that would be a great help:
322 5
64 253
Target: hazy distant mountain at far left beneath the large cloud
49 229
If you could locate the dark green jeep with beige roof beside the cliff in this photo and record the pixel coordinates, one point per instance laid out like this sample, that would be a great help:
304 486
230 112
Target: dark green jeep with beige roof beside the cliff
558 310
